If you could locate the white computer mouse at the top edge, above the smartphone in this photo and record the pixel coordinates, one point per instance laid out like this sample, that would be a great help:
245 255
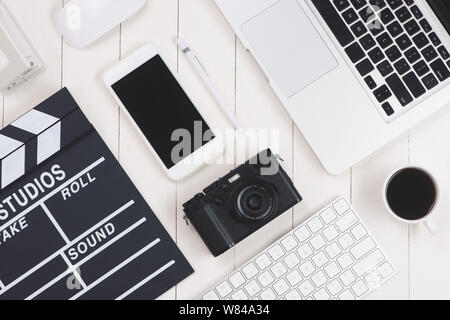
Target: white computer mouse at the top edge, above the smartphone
81 22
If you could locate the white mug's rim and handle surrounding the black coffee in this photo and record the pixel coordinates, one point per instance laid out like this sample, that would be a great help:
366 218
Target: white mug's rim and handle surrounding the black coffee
426 220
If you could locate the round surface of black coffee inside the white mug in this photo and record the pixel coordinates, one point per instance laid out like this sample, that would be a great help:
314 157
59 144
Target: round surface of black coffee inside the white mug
411 194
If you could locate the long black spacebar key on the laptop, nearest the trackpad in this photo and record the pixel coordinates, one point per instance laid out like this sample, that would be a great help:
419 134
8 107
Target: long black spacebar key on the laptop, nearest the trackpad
334 21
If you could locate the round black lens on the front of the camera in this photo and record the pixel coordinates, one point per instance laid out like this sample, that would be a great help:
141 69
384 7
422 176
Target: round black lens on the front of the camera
255 202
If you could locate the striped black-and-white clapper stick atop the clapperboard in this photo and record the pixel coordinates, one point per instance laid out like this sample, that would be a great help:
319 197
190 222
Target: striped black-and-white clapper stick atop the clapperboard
37 135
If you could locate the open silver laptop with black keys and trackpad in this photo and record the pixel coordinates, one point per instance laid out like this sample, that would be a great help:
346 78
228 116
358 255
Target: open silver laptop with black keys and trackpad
353 74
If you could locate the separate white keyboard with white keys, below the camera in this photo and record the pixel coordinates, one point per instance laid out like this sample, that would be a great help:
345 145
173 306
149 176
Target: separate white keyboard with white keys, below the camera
330 256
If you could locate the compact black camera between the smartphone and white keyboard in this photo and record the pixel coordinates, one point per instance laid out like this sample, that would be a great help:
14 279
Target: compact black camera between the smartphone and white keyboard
242 202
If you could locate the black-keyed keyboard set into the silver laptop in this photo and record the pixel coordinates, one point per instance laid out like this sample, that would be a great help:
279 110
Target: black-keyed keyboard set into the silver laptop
392 46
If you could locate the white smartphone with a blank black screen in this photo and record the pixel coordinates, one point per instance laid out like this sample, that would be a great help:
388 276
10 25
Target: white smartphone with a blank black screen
151 96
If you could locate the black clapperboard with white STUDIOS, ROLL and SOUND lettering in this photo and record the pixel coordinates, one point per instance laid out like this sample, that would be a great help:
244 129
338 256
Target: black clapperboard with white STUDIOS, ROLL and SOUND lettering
72 224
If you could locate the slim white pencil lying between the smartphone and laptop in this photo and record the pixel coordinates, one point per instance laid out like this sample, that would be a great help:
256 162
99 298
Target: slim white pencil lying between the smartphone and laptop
201 72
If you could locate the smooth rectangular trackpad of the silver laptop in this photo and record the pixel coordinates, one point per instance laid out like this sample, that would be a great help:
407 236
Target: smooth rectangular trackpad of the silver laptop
289 46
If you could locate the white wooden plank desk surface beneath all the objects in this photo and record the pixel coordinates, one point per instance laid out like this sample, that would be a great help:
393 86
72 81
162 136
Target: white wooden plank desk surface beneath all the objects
422 260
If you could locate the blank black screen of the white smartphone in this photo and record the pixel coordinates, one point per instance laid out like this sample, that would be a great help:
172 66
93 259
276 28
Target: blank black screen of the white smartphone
162 110
